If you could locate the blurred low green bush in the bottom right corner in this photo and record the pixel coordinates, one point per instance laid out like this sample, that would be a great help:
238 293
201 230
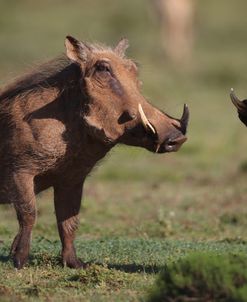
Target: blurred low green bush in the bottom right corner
203 277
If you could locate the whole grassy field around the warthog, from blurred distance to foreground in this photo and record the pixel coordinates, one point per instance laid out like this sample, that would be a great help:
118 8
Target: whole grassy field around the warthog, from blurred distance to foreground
140 211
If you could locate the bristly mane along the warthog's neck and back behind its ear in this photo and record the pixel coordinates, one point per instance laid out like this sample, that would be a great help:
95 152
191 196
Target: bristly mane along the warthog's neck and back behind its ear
59 72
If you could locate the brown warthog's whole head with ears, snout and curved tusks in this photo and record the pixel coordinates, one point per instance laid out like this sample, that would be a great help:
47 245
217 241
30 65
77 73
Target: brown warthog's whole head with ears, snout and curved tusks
116 111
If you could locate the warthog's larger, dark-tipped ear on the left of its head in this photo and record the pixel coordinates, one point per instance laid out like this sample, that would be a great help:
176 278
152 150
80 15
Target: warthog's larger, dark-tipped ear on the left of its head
77 51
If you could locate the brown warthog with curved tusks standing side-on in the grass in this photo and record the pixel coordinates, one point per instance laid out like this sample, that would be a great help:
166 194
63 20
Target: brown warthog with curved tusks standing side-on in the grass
57 122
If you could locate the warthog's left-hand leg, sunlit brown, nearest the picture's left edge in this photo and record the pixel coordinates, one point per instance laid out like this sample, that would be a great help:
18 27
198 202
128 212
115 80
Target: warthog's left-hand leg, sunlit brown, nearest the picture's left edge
22 195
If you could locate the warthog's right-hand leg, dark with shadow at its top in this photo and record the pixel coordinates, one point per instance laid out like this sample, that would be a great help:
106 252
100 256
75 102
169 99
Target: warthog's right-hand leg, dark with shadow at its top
67 205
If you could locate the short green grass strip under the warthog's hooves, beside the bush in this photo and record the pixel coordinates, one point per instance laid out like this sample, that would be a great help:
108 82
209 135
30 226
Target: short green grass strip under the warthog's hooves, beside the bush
118 268
